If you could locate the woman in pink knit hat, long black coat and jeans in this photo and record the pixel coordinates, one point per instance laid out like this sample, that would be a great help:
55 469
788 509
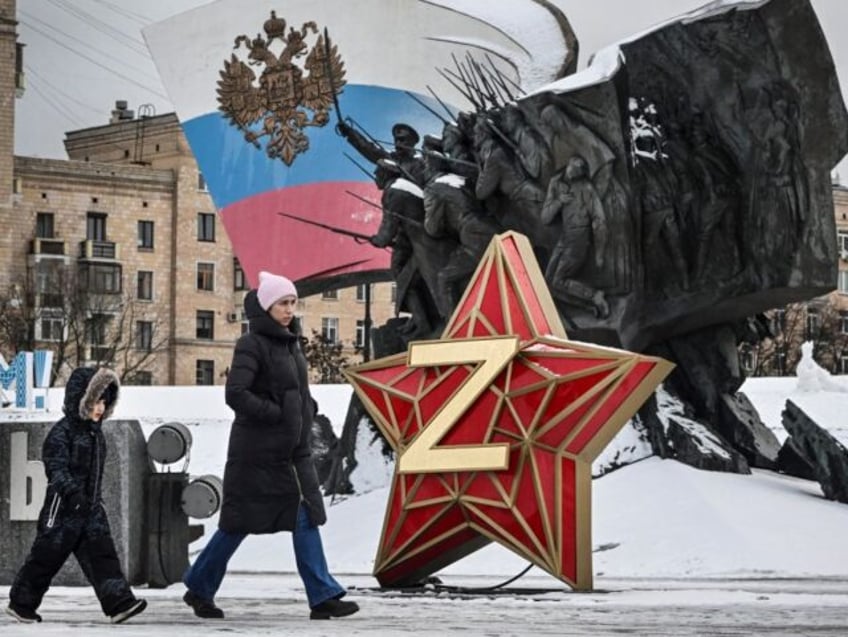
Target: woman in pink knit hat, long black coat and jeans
270 482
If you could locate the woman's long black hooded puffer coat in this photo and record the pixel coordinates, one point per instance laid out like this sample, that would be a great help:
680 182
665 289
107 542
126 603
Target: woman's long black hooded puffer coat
269 470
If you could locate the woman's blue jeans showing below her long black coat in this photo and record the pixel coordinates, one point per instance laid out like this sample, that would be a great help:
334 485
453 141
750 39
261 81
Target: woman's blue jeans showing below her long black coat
204 577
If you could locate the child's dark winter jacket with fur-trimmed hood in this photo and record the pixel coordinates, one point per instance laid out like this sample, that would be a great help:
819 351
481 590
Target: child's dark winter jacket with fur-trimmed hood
74 451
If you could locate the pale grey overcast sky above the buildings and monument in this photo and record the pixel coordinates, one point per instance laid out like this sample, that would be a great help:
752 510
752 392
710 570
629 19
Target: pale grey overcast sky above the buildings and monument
82 55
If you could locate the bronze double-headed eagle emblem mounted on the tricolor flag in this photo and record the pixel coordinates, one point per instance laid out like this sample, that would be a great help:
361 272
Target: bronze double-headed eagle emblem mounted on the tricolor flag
289 96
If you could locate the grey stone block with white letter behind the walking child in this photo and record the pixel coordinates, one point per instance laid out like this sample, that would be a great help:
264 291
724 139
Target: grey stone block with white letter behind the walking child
22 486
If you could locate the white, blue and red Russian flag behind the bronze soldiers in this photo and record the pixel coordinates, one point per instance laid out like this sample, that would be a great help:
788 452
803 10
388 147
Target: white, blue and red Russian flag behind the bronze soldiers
389 48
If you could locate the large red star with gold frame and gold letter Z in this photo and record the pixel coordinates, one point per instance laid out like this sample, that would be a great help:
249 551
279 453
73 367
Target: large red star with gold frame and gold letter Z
495 427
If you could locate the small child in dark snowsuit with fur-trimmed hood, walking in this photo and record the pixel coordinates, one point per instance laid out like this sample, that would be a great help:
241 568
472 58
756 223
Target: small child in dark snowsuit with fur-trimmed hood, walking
73 519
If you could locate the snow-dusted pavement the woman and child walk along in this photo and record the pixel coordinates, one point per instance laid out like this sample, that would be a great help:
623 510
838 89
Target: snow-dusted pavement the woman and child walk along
269 604
